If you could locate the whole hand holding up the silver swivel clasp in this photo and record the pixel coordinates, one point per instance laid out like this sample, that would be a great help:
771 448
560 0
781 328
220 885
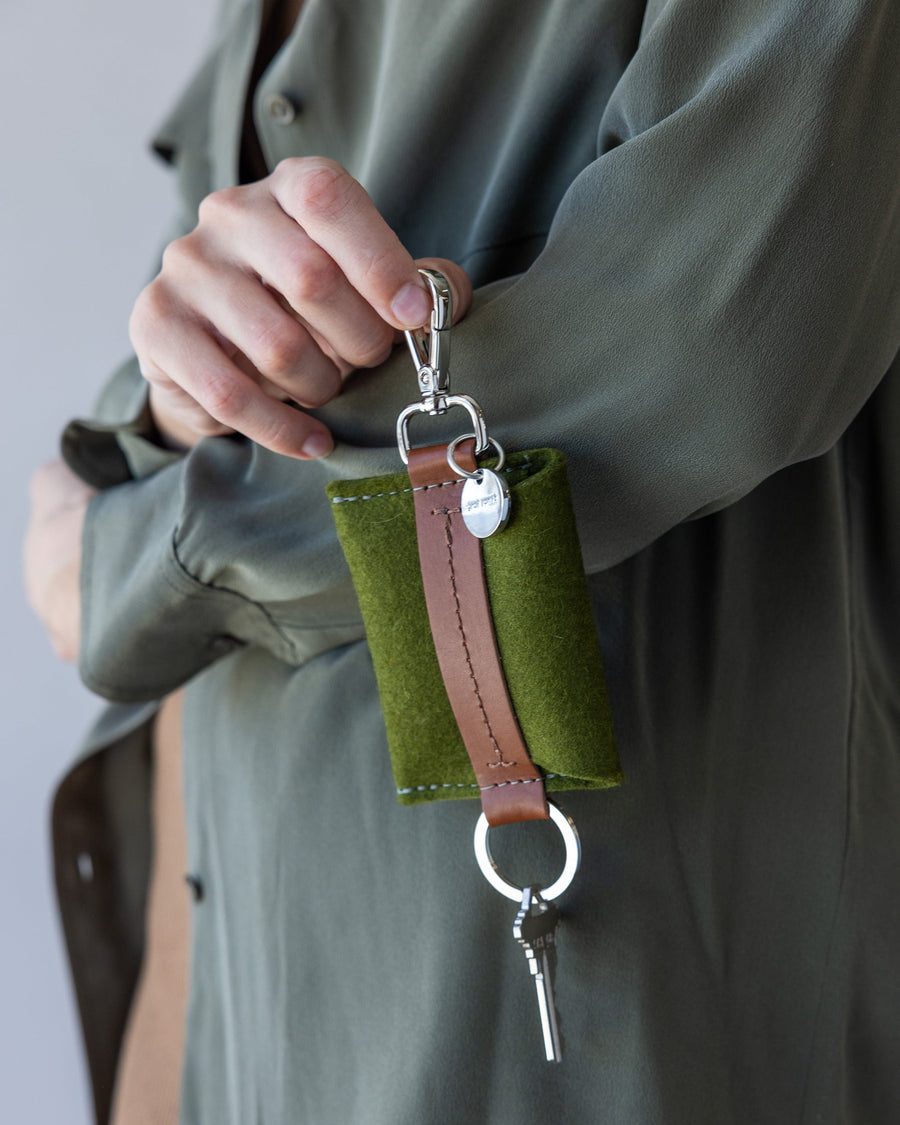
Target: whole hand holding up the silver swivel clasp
284 289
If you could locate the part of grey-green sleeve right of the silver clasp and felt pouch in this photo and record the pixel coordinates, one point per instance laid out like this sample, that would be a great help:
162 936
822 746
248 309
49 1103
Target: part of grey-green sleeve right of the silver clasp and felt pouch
719 293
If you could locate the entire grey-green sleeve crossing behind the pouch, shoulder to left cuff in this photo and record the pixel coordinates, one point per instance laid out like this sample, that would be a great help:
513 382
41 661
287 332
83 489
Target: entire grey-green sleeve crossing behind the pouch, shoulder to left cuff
717 299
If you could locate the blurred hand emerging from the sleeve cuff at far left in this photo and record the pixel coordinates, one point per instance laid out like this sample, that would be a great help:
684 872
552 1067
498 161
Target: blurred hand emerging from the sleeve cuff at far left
52 559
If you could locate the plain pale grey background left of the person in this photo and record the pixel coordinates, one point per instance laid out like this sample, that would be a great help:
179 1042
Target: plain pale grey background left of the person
84 211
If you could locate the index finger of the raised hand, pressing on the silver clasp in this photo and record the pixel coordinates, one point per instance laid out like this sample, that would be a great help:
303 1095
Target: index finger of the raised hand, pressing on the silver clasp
338 214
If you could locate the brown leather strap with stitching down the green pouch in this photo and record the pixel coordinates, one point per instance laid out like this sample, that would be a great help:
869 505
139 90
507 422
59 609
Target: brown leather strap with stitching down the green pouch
463 628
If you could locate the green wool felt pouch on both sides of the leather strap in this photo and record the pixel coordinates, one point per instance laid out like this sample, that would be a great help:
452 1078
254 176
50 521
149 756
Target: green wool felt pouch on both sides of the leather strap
543 622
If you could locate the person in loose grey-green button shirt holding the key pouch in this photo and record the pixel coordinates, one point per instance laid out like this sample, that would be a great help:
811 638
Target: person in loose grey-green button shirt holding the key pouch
680 224
